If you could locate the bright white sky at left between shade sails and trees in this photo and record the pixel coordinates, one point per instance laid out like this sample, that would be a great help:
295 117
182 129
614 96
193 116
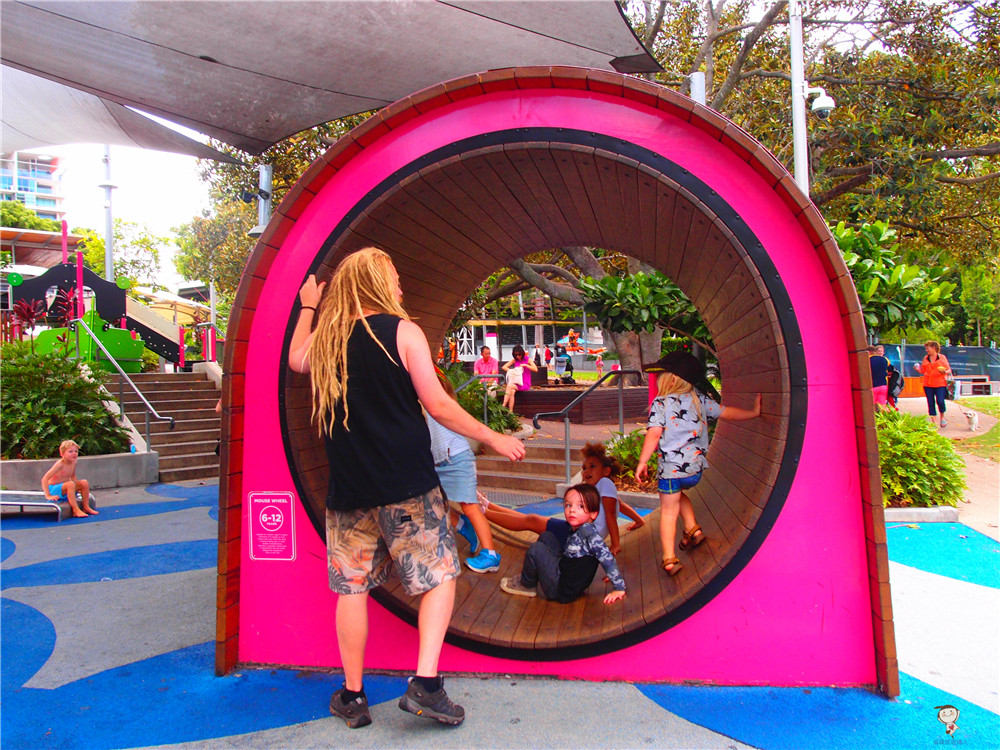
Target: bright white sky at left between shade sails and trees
154 188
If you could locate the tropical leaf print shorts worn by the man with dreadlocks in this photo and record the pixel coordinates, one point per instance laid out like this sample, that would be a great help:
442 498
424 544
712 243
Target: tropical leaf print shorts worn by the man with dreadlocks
414 534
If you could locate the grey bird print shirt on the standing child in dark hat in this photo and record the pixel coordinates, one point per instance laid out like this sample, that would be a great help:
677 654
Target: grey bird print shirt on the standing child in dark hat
684 441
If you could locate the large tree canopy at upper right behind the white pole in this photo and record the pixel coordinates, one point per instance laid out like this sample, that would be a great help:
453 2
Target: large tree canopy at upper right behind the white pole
914 139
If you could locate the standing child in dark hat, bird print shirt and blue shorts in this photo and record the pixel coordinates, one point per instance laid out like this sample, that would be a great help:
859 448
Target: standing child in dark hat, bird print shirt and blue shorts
678 431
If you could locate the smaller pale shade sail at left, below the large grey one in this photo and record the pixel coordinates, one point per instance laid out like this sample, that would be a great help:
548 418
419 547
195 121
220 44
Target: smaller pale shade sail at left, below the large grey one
38 112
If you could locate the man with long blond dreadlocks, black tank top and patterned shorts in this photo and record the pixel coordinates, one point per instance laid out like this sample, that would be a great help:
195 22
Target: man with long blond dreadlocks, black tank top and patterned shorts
371 370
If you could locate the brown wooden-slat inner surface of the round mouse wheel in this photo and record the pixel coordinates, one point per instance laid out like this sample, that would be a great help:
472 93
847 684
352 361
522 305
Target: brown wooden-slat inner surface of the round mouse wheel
475 206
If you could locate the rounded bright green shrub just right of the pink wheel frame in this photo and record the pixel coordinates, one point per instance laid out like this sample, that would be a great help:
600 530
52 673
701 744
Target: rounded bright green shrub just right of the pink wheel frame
919 466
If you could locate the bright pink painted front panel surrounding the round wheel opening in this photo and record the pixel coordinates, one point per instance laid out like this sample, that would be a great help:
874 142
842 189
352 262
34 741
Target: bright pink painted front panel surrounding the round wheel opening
799 612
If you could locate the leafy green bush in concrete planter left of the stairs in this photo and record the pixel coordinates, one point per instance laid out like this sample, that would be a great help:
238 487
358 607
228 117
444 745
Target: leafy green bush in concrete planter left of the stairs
47 399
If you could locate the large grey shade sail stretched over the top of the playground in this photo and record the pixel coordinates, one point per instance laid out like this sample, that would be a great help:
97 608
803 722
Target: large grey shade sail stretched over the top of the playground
252 73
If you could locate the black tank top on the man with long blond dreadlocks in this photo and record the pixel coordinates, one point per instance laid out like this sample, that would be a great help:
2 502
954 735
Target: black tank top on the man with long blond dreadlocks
384 456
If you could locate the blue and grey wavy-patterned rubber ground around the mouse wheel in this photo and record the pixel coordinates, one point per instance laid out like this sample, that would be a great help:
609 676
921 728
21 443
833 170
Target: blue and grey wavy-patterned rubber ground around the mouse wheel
107 641
